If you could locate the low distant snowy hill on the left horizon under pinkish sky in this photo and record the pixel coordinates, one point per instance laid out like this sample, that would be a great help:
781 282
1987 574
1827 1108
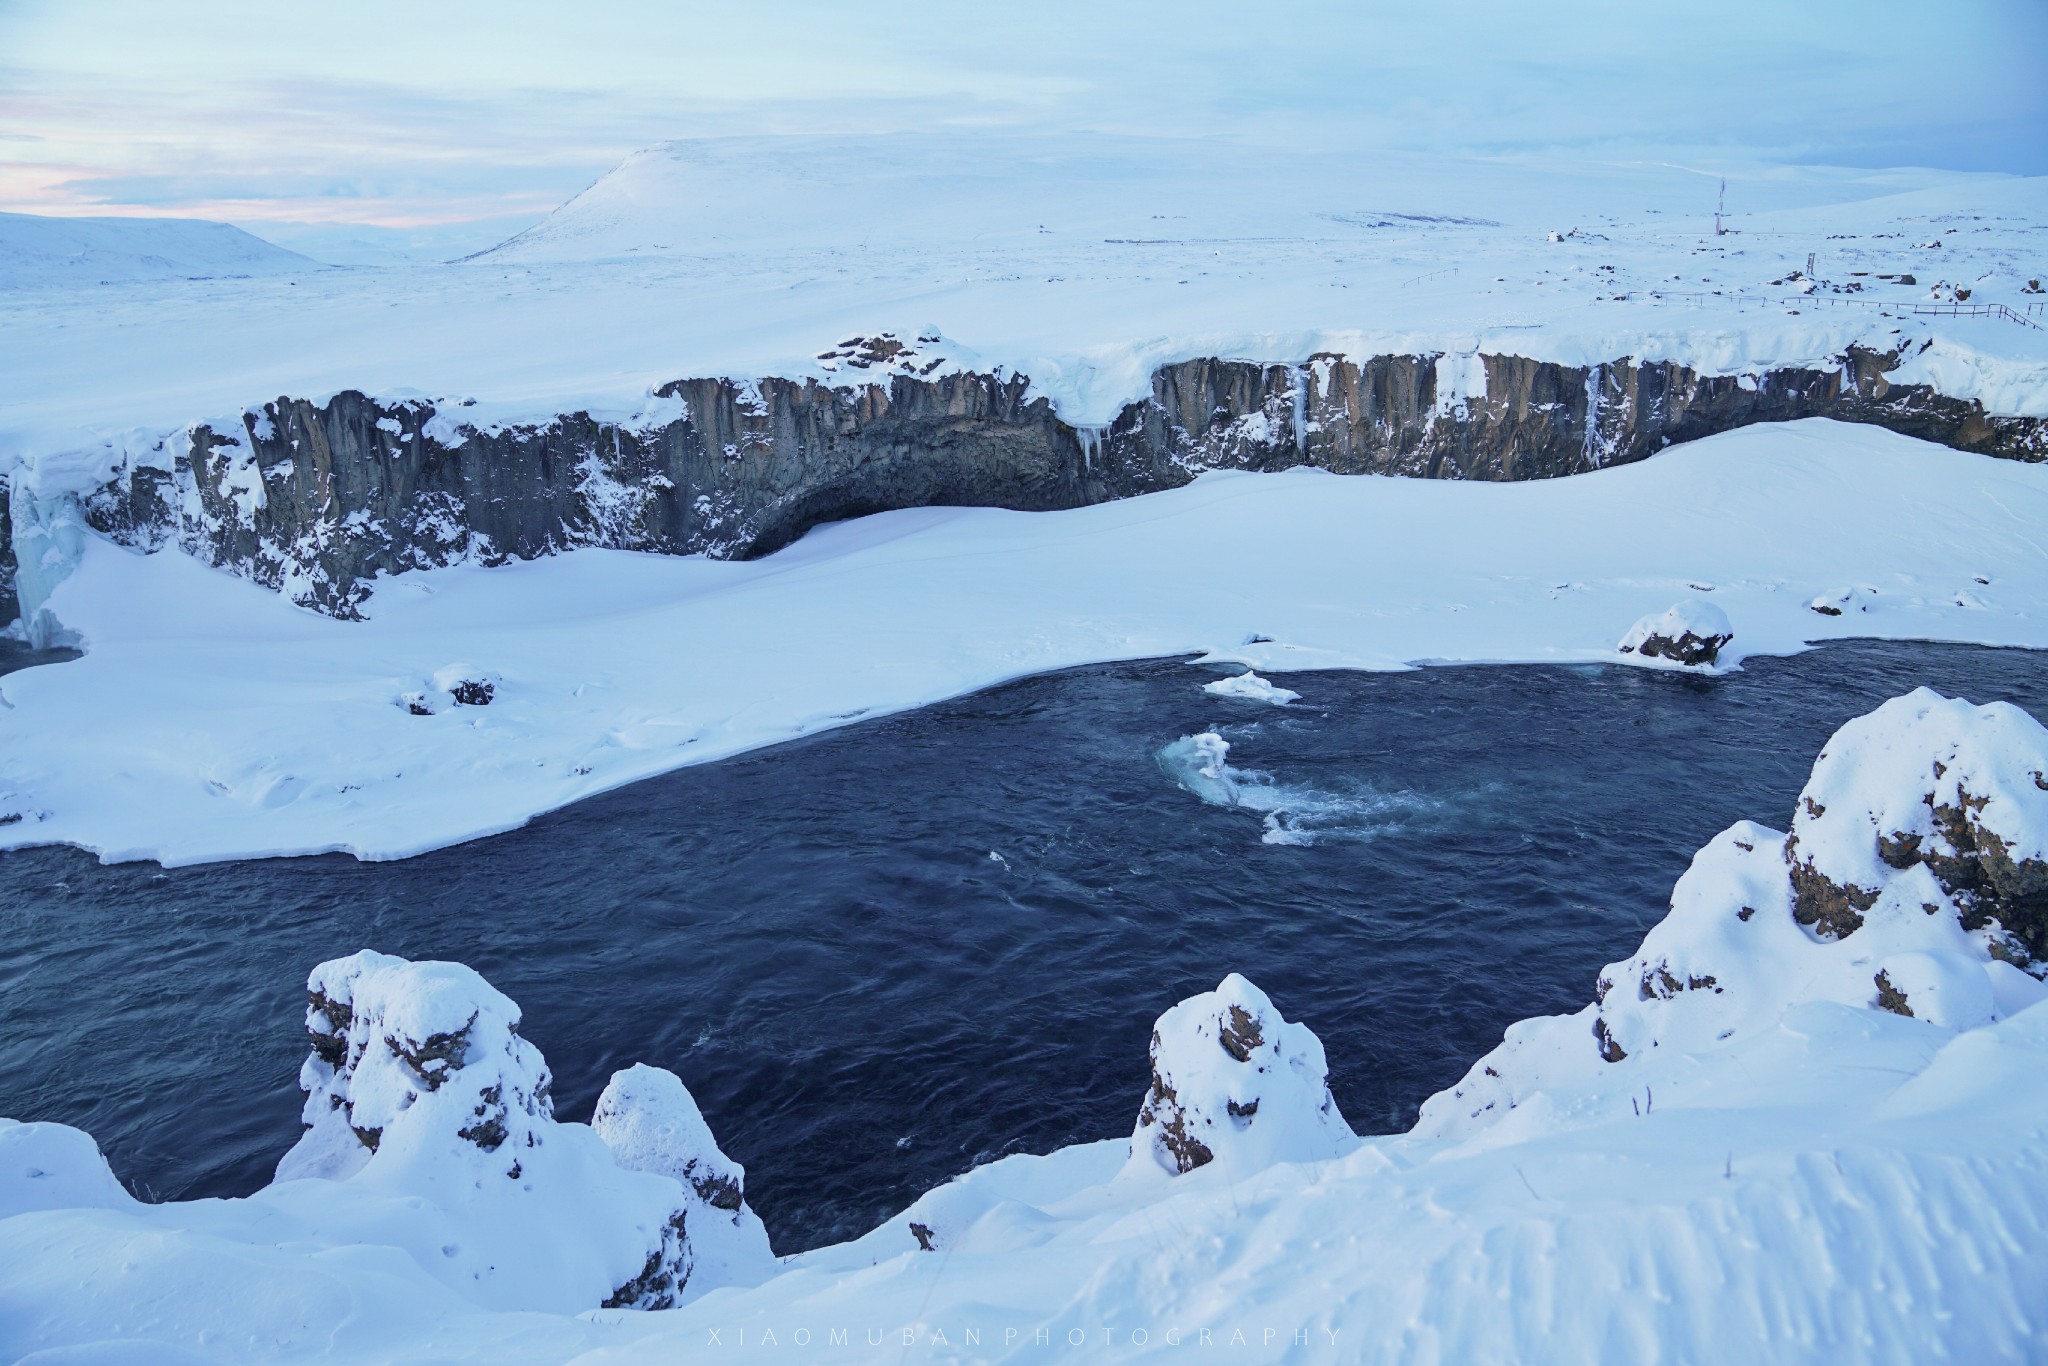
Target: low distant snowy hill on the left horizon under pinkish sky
40 253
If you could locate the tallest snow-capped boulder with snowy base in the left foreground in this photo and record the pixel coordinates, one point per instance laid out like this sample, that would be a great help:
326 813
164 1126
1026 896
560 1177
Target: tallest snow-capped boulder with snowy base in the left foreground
431 1129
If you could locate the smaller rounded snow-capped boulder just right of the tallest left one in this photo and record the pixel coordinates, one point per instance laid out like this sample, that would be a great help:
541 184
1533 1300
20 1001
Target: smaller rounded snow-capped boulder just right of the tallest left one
650 1123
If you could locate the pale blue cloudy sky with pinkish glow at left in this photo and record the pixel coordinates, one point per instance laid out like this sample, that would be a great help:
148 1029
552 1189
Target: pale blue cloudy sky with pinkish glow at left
441 126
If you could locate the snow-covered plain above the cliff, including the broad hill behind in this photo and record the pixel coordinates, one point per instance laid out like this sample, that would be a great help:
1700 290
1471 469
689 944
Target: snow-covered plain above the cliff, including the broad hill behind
1080 261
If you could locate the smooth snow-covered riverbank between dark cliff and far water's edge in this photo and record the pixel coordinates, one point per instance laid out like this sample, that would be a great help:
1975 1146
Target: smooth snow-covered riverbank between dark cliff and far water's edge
212 720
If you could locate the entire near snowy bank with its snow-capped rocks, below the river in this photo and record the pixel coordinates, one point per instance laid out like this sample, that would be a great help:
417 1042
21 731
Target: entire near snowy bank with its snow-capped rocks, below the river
1770 1140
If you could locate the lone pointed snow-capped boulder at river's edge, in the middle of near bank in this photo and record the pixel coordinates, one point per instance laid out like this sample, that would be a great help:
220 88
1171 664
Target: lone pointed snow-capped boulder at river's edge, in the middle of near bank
1234 1084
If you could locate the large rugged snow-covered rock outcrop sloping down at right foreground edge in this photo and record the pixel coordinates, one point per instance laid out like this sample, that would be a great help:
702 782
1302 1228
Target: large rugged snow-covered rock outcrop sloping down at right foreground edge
1912 884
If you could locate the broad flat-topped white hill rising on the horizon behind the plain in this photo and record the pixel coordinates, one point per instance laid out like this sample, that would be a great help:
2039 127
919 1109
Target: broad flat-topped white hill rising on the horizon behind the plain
1031 194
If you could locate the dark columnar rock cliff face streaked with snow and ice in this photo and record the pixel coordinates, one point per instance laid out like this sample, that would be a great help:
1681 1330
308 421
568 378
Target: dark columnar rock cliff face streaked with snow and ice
318 499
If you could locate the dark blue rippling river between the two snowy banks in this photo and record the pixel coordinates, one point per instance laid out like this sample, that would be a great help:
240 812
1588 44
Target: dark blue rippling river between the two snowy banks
865 1002
